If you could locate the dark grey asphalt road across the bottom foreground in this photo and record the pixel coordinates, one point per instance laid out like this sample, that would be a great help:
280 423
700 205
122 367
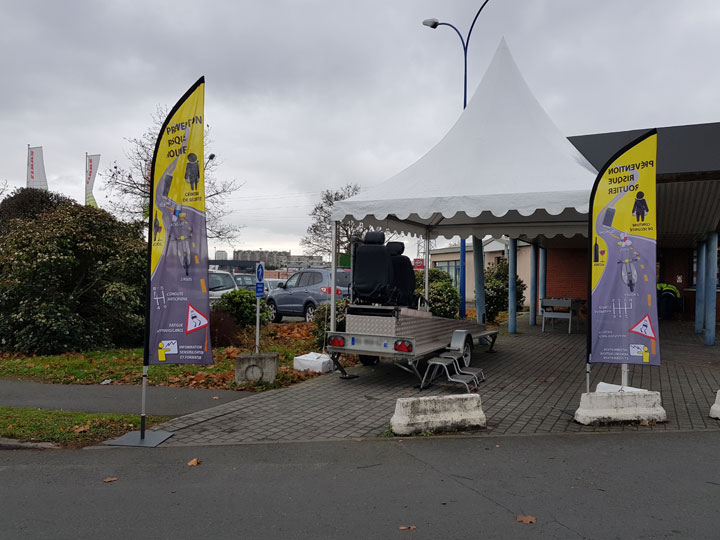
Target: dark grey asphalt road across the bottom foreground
595 486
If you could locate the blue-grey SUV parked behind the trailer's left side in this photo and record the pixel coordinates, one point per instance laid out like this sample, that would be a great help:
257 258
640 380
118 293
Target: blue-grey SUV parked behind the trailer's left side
305 291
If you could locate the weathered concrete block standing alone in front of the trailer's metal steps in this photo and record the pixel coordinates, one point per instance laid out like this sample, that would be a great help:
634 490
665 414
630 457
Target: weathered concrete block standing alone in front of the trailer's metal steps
437 413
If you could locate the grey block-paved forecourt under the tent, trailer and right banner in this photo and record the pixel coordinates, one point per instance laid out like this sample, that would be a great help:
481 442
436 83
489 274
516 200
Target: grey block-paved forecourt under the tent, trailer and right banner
533 381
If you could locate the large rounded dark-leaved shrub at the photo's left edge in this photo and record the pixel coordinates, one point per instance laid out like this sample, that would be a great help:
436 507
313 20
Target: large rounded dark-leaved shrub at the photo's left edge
72 278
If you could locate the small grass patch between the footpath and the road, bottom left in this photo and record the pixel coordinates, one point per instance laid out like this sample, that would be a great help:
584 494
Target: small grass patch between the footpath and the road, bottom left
67 428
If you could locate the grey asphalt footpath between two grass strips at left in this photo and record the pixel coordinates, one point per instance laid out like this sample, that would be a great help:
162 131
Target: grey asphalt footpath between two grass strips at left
161 400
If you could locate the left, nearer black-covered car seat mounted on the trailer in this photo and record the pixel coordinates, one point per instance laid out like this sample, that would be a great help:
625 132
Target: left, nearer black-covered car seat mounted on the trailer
373 270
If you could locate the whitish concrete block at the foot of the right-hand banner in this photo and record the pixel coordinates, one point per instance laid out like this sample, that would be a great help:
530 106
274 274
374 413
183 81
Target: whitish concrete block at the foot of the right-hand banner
607 407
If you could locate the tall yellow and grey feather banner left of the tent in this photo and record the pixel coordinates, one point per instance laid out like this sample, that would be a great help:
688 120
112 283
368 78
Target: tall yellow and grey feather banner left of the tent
178 325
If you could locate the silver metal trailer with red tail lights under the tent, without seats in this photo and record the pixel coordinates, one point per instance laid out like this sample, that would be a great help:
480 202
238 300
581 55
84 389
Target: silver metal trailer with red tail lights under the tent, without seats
403 336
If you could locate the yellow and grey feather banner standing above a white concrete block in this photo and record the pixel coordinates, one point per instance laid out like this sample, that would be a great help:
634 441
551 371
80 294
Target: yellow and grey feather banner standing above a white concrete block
623 243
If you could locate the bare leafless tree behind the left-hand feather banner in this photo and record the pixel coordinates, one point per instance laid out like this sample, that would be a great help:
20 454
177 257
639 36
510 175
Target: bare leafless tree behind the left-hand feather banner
130 186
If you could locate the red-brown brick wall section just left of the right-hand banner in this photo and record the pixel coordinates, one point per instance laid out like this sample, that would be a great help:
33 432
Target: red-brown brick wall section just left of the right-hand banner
567 273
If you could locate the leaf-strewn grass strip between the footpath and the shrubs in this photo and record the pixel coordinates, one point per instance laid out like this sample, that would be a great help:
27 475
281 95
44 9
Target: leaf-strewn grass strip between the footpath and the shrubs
124 366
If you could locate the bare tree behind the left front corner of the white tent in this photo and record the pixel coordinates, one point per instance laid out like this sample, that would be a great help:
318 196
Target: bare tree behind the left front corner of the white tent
318 240
